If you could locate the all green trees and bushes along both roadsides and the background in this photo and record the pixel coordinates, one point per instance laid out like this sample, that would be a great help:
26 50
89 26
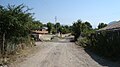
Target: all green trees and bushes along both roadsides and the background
16 23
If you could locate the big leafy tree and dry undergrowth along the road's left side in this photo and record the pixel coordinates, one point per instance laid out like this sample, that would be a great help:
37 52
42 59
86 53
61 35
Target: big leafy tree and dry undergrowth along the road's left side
16 23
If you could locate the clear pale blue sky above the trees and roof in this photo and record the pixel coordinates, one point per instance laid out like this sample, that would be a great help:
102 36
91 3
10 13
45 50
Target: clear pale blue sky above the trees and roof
69 11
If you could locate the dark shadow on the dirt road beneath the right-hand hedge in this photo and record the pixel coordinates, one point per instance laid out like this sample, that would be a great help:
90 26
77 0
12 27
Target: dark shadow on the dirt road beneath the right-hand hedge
102 61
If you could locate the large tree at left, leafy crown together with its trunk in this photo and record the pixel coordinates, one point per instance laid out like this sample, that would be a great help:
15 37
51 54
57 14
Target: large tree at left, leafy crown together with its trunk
15 23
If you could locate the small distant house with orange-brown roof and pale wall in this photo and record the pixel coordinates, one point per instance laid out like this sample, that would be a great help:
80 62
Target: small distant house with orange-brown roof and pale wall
37 33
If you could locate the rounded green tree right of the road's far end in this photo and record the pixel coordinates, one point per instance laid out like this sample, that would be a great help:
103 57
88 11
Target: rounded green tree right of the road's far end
80 28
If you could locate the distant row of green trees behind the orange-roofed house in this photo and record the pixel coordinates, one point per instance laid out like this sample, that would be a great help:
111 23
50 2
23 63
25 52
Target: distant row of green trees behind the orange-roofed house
53 28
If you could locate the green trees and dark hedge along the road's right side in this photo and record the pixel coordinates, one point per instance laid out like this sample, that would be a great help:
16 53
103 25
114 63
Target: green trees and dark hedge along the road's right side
105 43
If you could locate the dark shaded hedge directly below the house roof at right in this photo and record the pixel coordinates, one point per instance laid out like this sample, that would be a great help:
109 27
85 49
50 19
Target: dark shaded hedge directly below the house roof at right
106 43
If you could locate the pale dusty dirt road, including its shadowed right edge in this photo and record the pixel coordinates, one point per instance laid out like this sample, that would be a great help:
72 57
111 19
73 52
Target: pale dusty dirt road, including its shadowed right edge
62 54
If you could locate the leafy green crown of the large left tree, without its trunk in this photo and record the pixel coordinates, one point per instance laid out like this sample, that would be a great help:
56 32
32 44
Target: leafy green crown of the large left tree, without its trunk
13 18
